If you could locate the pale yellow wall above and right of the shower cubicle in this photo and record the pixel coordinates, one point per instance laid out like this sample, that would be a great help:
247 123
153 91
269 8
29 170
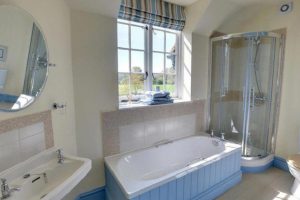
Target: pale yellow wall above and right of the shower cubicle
269 18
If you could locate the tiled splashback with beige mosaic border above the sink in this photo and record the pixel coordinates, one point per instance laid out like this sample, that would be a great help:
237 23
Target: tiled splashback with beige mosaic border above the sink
24 137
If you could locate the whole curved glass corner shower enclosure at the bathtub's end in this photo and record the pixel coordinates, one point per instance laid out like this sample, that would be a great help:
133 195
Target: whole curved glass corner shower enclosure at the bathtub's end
245 90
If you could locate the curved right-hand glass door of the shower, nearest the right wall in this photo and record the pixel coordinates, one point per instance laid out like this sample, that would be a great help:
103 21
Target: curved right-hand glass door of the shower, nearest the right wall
261 76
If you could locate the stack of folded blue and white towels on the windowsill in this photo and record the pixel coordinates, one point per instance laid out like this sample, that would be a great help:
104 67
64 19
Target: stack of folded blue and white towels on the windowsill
157 98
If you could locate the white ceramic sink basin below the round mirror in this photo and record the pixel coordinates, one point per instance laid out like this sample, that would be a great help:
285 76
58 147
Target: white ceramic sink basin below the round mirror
61 178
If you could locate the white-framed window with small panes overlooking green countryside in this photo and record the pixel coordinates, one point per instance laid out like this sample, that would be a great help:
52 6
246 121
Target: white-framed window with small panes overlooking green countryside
147 60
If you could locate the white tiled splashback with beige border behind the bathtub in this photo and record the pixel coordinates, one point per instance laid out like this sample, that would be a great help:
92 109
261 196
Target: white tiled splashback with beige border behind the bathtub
136 128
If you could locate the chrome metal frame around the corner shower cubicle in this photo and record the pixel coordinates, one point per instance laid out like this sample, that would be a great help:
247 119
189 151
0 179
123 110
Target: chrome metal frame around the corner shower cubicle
281 38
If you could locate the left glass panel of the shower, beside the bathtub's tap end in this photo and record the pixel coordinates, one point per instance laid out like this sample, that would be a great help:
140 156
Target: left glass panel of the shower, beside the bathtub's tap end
228 74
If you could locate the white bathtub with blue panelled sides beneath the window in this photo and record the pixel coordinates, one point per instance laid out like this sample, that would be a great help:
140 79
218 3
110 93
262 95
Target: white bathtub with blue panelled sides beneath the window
187 168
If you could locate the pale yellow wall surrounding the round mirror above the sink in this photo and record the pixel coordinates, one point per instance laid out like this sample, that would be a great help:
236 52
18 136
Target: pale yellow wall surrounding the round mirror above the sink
54 18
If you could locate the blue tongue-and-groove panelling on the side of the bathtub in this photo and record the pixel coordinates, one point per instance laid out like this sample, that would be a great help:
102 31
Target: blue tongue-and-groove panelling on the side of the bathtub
205 183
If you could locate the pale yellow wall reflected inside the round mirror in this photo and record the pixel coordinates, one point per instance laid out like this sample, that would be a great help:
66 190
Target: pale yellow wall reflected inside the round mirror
15 33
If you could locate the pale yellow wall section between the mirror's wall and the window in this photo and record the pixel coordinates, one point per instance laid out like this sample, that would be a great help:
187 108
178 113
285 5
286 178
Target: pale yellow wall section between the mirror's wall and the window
94 46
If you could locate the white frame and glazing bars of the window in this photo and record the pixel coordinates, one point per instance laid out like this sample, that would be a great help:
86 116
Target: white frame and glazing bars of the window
148 54
